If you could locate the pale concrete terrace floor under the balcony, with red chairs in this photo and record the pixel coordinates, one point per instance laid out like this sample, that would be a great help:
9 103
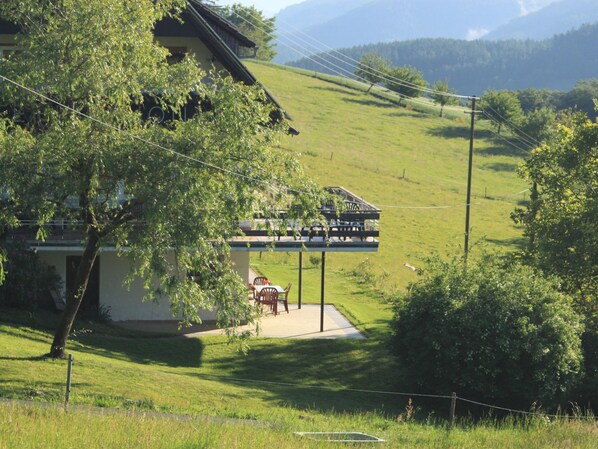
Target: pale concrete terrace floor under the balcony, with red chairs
298 323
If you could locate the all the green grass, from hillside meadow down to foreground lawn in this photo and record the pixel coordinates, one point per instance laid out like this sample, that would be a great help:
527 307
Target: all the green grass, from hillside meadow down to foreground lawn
348 139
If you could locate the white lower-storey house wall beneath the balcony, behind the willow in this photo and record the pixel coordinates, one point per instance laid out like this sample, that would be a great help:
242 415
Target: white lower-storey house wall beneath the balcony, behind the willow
123 302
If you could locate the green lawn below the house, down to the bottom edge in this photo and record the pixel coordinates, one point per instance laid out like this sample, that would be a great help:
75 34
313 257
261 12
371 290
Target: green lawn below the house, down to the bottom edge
145 375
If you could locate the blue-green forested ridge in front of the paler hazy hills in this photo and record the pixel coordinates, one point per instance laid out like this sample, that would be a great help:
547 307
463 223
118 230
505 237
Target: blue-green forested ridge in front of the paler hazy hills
471 67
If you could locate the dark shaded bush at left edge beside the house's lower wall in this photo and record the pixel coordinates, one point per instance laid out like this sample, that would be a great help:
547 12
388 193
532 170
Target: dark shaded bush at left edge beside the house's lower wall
28 280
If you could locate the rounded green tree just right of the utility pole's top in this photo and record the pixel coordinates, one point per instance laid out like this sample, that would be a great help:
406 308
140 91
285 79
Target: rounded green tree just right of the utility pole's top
502 108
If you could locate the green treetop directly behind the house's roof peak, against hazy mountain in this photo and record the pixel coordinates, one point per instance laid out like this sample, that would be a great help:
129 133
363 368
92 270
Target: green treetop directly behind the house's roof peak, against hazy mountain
255 26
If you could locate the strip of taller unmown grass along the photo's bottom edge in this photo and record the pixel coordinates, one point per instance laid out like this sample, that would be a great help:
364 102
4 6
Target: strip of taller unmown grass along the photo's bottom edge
27 426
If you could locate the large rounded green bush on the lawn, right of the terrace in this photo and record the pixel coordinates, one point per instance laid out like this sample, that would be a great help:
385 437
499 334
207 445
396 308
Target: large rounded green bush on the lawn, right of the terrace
491 331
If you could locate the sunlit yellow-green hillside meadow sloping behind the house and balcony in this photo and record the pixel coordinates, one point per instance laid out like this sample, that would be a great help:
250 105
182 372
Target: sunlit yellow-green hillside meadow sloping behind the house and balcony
365 144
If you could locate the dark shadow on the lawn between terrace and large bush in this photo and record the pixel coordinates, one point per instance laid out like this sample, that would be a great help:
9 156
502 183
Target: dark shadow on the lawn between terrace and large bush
291 373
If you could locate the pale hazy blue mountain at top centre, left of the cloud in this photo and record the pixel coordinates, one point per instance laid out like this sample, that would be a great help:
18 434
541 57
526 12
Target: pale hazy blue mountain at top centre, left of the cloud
345 23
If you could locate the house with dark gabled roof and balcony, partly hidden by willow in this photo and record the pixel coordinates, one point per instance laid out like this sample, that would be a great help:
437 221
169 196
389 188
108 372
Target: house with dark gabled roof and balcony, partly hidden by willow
213 42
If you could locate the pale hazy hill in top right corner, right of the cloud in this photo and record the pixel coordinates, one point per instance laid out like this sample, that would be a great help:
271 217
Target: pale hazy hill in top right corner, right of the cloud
556 18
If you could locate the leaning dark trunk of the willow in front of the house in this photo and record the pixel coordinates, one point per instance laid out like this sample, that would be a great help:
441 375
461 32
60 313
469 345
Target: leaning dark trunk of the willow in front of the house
74 297
